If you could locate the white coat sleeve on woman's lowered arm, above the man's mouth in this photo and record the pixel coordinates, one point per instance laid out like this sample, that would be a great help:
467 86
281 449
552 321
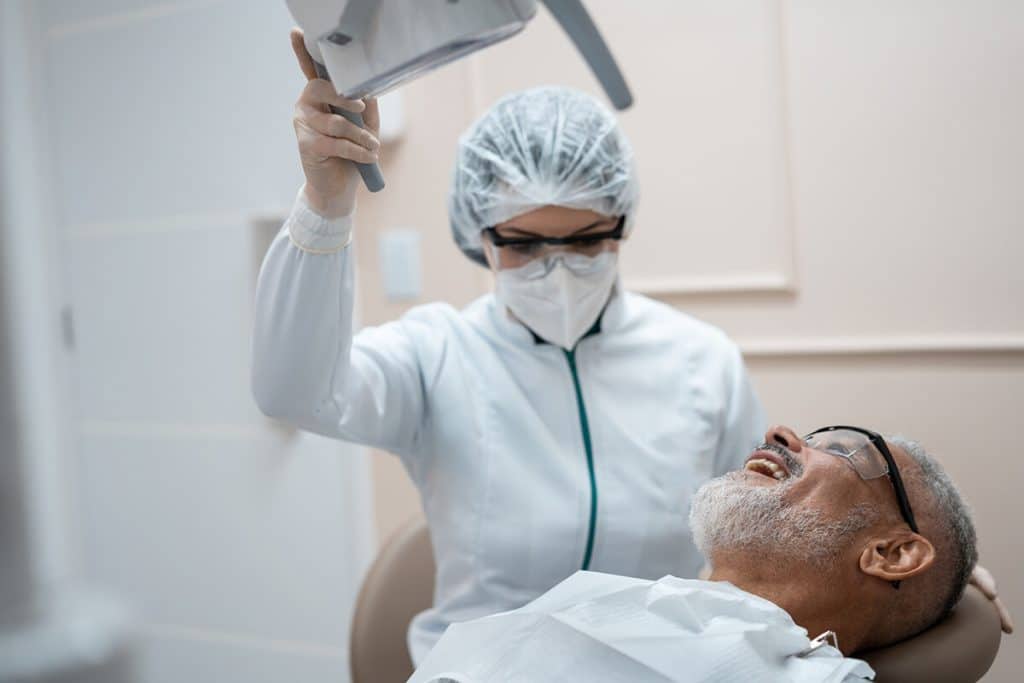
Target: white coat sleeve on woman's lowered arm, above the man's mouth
744 425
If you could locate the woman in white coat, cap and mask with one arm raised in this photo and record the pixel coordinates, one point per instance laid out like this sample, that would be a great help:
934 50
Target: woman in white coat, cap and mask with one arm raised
561 423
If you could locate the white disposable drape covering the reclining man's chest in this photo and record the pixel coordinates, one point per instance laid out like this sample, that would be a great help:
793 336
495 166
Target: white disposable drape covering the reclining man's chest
595 627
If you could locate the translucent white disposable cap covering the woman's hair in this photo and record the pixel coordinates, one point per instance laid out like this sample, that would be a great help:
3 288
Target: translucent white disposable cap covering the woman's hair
543 147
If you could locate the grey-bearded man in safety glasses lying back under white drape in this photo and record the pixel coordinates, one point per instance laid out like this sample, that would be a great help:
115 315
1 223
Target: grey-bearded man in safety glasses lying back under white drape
862 539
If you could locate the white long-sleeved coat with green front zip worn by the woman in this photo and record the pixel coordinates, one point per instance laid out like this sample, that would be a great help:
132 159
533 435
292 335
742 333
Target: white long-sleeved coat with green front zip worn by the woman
505 440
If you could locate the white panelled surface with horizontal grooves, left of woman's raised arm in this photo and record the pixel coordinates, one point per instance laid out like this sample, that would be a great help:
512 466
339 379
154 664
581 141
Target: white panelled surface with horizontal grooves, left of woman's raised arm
240 544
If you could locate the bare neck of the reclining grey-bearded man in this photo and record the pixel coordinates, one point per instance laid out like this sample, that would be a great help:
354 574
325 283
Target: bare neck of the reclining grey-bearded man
817 601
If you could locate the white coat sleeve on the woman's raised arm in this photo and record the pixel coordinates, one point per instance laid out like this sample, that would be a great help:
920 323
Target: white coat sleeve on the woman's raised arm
308 370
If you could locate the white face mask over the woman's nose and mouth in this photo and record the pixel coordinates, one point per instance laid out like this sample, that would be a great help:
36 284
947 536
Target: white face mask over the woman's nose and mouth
564 305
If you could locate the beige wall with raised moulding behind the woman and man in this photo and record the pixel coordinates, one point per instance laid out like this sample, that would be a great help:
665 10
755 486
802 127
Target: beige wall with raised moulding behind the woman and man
837 185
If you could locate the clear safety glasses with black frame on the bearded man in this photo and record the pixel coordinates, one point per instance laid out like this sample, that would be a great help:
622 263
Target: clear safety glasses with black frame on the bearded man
870 456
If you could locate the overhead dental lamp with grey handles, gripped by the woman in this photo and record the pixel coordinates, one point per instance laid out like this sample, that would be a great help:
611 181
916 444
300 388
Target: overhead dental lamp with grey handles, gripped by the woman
368 48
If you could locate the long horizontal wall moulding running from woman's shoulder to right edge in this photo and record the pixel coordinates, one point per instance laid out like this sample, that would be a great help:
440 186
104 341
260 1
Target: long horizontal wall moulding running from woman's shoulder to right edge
882 346
